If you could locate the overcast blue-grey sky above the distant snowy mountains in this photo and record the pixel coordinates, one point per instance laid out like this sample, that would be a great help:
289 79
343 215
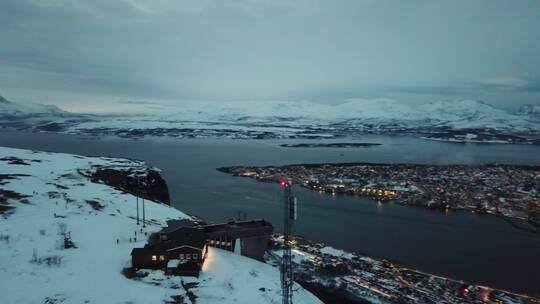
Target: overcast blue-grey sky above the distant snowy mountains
90 55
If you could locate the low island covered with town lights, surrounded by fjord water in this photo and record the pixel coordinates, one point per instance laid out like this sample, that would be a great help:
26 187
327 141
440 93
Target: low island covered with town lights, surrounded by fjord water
509 191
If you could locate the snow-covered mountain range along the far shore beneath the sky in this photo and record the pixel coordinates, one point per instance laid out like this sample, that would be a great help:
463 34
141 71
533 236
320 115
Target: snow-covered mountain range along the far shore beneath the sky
299 119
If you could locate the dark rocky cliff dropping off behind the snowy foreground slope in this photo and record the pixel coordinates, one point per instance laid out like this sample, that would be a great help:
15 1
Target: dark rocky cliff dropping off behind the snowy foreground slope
152 186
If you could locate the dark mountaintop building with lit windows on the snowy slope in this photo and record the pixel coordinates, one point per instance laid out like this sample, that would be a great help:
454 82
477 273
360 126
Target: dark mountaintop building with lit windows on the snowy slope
182 246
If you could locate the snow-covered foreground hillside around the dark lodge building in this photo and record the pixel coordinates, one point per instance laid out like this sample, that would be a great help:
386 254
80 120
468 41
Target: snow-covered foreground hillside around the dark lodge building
42 194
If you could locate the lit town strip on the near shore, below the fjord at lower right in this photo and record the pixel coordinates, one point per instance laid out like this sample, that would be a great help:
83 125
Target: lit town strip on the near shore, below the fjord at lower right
355 278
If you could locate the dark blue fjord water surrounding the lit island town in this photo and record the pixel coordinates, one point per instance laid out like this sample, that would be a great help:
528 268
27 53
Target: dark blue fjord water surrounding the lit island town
477 248
